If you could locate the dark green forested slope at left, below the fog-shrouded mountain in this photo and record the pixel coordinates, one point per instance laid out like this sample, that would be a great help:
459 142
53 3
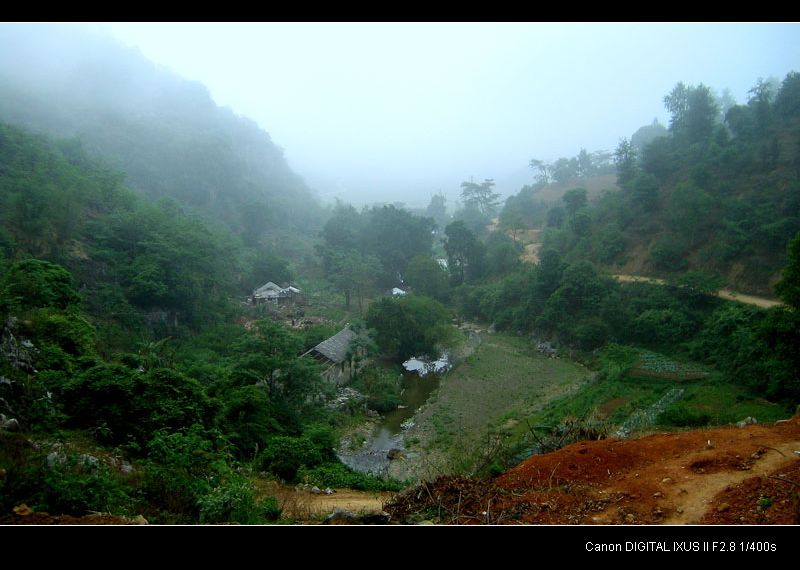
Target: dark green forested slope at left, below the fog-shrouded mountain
120 359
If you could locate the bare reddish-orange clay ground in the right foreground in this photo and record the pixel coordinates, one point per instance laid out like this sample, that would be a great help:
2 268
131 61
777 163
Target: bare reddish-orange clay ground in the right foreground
713 476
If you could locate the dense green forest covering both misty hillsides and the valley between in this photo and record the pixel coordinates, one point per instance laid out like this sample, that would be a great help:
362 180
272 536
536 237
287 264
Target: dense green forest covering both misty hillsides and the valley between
137 217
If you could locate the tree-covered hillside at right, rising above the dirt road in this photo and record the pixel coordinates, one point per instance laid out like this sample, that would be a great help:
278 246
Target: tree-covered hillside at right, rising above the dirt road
717 192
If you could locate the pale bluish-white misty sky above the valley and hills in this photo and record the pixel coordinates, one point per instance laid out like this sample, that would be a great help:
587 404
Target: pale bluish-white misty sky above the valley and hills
399 111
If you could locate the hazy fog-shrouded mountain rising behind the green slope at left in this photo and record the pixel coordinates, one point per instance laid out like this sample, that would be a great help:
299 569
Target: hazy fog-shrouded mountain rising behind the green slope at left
166 133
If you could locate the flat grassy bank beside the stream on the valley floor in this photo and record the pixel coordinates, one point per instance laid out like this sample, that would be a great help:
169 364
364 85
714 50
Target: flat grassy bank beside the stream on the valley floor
480 401
